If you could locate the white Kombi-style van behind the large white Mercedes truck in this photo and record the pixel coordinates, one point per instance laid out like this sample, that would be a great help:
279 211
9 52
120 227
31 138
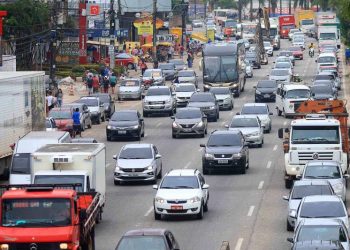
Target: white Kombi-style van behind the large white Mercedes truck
289 97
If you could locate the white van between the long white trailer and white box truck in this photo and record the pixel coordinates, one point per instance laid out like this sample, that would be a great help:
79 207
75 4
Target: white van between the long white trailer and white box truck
20 170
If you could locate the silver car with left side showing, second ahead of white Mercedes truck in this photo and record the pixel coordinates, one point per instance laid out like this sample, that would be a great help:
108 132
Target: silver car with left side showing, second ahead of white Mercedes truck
301 189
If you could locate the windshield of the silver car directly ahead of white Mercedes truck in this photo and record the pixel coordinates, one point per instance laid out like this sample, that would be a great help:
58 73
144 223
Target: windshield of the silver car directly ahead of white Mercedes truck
322 171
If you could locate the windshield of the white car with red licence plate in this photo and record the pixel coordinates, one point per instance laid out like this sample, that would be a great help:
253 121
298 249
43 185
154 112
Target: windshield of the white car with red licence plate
180 182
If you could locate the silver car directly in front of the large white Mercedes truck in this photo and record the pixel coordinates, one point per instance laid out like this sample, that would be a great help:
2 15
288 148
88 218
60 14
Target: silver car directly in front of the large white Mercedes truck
330 171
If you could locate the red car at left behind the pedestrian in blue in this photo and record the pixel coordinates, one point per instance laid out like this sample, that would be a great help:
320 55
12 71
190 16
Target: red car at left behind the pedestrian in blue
63 118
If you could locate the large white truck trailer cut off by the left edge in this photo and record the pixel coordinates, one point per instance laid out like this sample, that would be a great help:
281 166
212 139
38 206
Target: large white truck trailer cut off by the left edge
22 109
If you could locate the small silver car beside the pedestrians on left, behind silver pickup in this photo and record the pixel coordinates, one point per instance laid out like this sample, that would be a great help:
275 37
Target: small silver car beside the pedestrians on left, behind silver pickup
131 88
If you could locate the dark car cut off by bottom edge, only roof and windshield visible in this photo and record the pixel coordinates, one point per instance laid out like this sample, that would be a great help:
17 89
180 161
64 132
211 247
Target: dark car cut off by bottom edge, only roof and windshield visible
148 239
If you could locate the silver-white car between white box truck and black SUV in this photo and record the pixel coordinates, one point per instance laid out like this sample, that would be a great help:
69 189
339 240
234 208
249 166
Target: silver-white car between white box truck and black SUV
138 162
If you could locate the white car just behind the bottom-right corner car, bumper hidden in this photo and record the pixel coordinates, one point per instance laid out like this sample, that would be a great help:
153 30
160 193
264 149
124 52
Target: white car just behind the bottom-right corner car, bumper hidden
322 206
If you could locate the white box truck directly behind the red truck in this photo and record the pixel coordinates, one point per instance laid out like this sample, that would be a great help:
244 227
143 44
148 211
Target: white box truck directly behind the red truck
77 162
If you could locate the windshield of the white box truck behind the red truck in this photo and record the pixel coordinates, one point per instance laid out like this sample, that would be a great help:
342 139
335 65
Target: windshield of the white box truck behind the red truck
60 179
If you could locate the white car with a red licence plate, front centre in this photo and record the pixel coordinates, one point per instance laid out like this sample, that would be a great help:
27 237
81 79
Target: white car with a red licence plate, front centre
181 192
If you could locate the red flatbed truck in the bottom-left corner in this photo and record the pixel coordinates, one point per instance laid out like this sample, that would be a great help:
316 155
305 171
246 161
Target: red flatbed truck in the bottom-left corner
44 217
